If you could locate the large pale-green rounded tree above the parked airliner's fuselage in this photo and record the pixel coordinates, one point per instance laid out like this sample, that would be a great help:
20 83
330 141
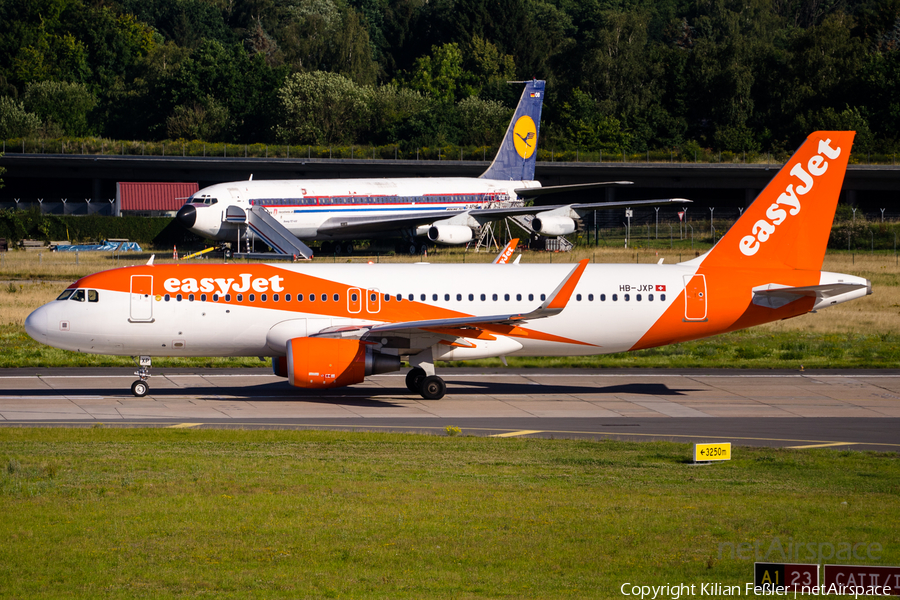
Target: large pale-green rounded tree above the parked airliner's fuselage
322 108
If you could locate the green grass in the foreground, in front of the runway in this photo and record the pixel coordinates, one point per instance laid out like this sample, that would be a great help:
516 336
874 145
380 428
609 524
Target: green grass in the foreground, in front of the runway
140 513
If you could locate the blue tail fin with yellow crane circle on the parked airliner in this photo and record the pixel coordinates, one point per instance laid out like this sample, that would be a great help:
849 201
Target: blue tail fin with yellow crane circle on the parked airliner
518 152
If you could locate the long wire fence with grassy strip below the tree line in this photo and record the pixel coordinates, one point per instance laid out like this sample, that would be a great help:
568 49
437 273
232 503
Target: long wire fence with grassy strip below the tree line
689 153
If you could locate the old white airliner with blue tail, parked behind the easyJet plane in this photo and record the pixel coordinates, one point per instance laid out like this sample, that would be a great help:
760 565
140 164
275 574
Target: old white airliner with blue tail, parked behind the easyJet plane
448 210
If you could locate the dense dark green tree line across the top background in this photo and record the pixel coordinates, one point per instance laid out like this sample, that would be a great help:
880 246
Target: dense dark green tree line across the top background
748 75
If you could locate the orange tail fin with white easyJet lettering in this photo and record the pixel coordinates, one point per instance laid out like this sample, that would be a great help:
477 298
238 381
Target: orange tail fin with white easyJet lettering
788 224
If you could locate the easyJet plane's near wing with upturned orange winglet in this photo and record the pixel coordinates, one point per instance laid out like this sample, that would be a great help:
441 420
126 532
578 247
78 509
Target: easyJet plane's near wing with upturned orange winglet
553 305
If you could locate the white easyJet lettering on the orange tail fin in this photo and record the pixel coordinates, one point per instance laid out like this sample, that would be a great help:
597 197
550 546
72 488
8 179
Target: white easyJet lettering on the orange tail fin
789 201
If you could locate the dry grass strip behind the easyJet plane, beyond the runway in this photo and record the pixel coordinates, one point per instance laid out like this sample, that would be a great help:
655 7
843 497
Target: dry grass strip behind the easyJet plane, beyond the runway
862 333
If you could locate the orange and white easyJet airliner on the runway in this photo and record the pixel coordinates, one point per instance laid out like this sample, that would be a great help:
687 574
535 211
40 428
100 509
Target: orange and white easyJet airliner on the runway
330 325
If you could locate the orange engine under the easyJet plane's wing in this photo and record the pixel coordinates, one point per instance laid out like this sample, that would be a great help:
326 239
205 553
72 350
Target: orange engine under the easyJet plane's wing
329 362
